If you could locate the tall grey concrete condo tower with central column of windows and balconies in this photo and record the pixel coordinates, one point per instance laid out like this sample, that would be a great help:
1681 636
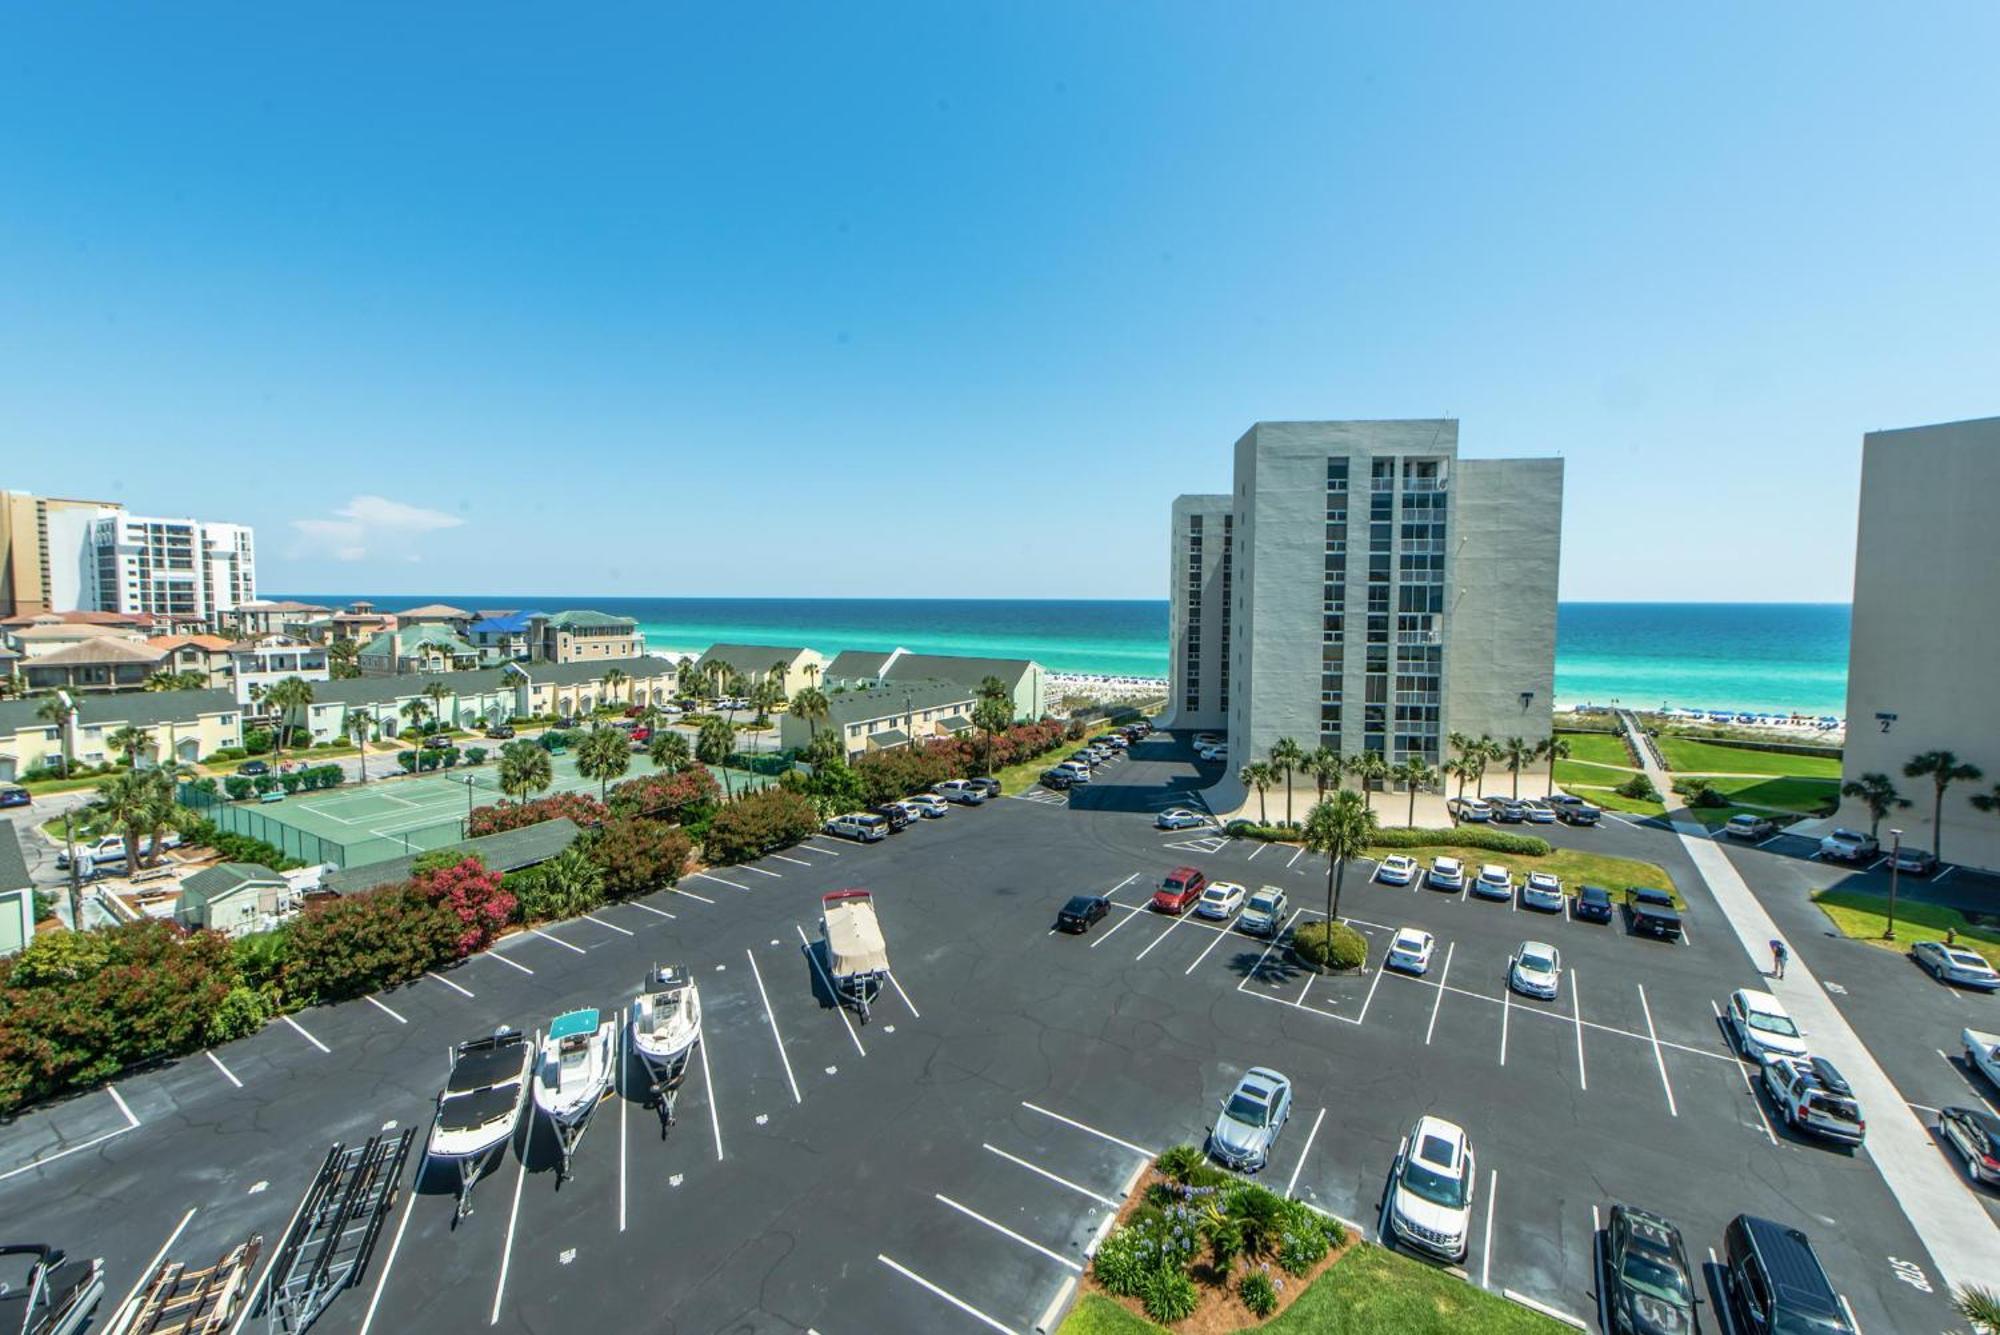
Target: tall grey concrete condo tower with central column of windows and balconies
1369 591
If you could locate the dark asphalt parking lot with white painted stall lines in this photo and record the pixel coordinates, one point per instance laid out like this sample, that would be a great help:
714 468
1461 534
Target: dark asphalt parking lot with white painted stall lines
949 1164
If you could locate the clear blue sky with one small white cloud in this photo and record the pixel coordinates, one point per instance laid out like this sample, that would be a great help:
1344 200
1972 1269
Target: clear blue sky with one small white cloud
809 299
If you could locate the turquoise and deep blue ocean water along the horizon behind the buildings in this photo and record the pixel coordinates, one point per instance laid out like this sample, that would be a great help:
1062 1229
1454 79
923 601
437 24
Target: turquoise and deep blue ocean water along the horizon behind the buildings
1705 657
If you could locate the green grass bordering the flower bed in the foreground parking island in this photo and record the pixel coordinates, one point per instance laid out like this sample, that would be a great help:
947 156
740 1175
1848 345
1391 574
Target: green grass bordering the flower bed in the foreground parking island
1367 1292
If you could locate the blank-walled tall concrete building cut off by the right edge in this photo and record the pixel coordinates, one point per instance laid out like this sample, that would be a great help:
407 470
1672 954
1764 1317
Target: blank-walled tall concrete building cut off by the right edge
1927 629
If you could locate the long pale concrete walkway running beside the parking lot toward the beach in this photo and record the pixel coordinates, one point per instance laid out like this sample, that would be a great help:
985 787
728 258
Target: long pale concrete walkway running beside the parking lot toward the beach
1961 1236
